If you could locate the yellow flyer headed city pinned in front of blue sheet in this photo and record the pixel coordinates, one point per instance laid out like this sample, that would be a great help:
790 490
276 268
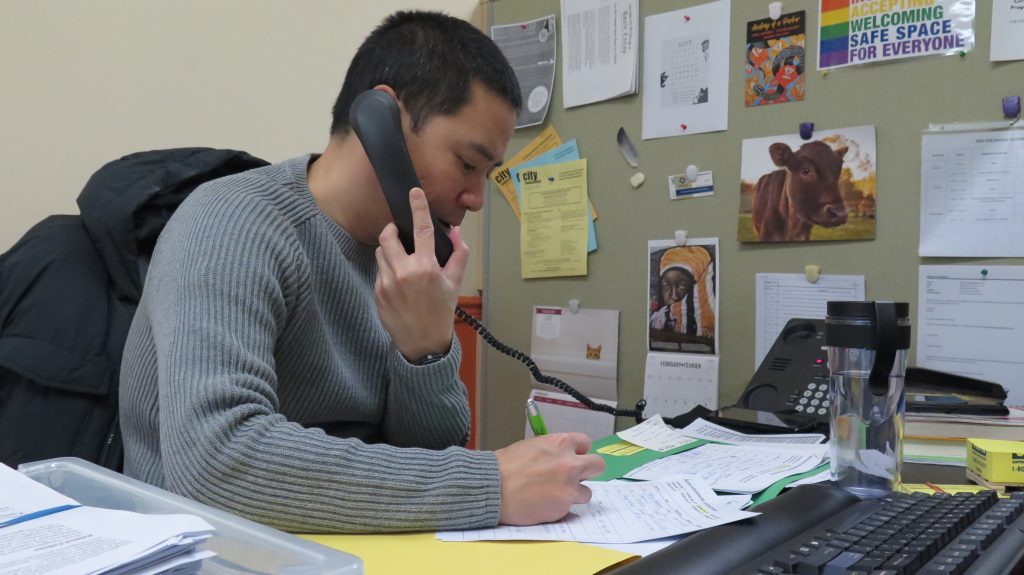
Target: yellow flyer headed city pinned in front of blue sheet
553 227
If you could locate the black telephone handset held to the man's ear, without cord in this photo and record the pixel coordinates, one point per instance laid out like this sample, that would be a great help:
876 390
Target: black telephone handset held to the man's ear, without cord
377 122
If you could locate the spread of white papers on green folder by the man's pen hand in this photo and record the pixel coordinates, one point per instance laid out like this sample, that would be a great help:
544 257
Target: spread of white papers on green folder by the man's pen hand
674 495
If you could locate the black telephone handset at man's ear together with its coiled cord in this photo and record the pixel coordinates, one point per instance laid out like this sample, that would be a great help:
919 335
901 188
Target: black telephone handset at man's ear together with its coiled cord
377 122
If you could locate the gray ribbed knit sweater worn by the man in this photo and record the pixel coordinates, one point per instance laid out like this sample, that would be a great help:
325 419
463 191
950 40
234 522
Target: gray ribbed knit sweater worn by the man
259 379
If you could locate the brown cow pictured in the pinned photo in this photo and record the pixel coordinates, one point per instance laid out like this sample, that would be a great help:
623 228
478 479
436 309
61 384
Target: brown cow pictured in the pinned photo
790 202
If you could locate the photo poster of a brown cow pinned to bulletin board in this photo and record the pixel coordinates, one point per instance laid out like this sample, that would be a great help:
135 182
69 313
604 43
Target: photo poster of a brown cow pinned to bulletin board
808 191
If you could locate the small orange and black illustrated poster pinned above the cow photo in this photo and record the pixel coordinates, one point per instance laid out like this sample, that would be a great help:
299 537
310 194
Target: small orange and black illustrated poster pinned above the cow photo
774 71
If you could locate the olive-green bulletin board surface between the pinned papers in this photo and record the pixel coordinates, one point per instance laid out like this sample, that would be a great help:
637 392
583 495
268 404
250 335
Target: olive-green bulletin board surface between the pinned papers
900 99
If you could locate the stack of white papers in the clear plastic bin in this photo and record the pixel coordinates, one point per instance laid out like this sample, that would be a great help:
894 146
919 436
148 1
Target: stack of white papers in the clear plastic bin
42 532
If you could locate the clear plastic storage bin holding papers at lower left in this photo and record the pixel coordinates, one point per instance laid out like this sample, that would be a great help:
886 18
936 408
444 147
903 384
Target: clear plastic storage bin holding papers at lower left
242 546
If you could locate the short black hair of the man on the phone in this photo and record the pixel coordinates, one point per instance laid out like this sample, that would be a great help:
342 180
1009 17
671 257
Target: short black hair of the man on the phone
431 60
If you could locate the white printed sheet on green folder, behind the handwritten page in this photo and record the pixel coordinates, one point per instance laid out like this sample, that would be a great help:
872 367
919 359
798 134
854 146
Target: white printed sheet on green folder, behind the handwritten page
733 468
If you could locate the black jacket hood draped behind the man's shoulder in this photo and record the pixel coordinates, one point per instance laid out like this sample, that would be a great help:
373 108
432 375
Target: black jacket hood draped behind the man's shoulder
126 204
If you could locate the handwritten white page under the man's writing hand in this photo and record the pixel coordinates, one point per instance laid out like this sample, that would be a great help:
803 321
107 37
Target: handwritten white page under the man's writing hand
624 513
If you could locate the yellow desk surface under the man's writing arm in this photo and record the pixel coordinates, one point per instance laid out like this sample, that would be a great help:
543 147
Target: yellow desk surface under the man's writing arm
424 555
